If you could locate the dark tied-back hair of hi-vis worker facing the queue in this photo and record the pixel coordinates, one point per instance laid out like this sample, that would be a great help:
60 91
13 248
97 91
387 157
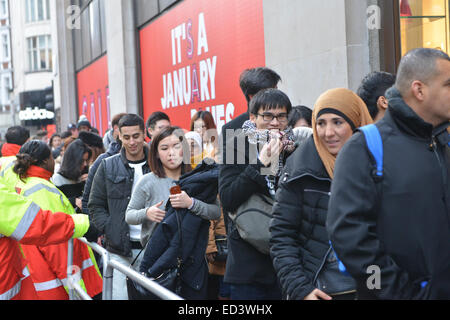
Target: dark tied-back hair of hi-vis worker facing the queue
33 152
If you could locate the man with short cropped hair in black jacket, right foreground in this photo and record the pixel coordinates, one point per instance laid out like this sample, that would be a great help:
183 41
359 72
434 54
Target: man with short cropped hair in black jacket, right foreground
393 234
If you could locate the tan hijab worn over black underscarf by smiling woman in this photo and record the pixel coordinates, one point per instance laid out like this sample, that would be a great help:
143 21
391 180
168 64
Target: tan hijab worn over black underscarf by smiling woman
346 104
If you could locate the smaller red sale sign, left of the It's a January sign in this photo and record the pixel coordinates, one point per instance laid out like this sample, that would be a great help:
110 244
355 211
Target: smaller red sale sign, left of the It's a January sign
93 94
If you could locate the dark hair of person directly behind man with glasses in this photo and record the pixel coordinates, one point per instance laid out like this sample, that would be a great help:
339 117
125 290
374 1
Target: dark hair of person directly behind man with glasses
254 80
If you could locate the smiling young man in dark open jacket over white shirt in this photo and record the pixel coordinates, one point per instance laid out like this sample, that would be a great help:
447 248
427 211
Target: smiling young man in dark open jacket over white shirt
111 192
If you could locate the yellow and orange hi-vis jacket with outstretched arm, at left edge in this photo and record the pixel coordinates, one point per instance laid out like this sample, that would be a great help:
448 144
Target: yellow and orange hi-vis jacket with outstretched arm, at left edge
22 220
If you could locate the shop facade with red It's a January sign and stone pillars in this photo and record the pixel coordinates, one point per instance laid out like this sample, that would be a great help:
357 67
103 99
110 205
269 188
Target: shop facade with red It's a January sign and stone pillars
183 56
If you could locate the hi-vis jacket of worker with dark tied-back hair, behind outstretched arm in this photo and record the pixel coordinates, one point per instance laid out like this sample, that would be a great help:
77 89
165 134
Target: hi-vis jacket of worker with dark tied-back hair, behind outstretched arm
48 264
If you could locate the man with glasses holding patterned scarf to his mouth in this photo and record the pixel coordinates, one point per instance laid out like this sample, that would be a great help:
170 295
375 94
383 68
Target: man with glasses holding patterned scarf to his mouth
250 272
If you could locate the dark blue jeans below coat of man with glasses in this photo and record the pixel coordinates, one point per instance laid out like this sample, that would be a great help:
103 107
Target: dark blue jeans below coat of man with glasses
255 292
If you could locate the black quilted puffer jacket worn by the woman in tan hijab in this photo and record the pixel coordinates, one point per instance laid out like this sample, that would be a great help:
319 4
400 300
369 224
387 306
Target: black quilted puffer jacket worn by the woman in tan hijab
299 244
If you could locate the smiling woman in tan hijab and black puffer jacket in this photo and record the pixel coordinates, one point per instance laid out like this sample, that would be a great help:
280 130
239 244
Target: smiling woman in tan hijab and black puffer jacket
303 258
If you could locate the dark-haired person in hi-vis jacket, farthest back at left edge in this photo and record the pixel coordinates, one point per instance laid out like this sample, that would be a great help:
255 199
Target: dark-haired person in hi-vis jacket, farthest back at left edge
15 137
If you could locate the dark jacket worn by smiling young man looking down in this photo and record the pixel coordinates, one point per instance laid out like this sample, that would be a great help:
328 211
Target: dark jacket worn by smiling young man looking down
108 201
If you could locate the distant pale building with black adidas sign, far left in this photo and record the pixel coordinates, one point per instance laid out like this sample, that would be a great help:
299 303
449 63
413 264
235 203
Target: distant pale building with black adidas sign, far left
32 56
